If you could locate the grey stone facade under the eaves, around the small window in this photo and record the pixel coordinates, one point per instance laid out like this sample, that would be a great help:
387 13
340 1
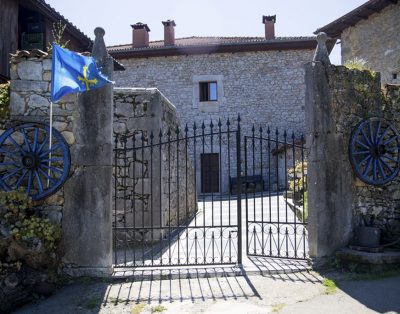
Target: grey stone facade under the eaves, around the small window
266 88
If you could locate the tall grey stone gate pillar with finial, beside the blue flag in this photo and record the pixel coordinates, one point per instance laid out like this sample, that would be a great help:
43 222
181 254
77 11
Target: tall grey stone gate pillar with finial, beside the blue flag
87 228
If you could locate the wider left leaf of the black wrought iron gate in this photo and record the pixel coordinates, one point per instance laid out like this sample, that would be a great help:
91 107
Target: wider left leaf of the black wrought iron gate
161 218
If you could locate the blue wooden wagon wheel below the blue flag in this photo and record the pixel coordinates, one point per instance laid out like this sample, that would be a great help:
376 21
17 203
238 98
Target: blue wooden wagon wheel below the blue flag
28 162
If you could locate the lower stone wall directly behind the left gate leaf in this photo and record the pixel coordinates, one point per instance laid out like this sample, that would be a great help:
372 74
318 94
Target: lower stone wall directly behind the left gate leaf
148 192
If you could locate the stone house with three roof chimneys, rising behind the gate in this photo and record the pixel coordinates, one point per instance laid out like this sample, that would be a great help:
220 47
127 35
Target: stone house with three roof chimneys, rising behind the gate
211 78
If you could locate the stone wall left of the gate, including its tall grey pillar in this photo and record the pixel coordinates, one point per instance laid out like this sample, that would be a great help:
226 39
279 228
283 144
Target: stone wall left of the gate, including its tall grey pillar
82 206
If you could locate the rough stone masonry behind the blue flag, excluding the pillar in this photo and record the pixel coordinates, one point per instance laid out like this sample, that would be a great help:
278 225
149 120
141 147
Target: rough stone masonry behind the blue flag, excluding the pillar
29 102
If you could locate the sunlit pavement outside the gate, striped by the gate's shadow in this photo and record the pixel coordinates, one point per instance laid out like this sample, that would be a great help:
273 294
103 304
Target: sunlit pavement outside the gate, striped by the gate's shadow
284 293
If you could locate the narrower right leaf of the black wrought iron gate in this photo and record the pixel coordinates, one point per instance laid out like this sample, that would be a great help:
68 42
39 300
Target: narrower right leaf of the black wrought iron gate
276 216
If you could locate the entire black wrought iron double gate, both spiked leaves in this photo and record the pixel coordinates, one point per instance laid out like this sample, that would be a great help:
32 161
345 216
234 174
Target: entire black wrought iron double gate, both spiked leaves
163 217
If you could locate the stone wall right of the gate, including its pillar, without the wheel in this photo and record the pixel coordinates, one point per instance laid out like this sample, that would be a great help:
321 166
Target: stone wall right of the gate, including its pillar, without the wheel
338 99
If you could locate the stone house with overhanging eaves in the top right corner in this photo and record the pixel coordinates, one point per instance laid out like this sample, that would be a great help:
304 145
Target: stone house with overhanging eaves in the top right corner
371 32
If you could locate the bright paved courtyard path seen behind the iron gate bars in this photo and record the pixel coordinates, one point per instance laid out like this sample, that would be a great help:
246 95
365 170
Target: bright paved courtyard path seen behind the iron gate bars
212 236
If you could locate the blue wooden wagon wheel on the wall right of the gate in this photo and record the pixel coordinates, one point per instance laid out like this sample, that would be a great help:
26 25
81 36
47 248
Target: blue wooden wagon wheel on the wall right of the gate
374 151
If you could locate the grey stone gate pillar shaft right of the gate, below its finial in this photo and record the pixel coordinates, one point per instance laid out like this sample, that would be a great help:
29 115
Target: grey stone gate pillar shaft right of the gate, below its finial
329 172
